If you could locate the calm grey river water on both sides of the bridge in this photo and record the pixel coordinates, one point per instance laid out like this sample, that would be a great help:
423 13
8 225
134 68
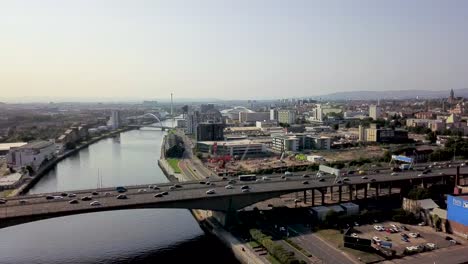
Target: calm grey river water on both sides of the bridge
129 236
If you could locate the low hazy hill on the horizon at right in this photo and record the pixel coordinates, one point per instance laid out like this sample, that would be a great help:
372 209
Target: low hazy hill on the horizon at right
400 94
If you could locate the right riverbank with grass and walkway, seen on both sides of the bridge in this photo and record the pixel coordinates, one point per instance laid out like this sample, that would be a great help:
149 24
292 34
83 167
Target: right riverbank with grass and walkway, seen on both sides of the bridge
208 222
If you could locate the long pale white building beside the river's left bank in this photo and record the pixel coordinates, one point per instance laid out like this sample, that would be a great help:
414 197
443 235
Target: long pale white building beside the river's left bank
32 154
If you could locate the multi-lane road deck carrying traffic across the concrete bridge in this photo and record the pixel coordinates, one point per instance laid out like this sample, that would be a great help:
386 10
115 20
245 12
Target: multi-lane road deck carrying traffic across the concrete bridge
190 191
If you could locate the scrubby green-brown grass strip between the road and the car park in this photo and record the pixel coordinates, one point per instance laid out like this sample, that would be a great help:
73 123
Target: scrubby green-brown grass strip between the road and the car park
336 239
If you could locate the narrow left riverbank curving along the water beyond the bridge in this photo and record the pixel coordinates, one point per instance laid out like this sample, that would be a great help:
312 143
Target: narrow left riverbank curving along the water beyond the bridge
34 179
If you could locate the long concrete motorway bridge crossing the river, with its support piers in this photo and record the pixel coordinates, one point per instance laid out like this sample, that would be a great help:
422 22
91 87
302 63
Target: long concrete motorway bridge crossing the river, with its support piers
193 195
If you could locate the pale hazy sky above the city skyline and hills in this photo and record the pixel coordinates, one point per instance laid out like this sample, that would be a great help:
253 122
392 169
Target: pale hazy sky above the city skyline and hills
229 49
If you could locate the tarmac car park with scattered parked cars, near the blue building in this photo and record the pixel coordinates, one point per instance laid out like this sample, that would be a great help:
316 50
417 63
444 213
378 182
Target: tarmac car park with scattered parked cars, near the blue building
425 234
